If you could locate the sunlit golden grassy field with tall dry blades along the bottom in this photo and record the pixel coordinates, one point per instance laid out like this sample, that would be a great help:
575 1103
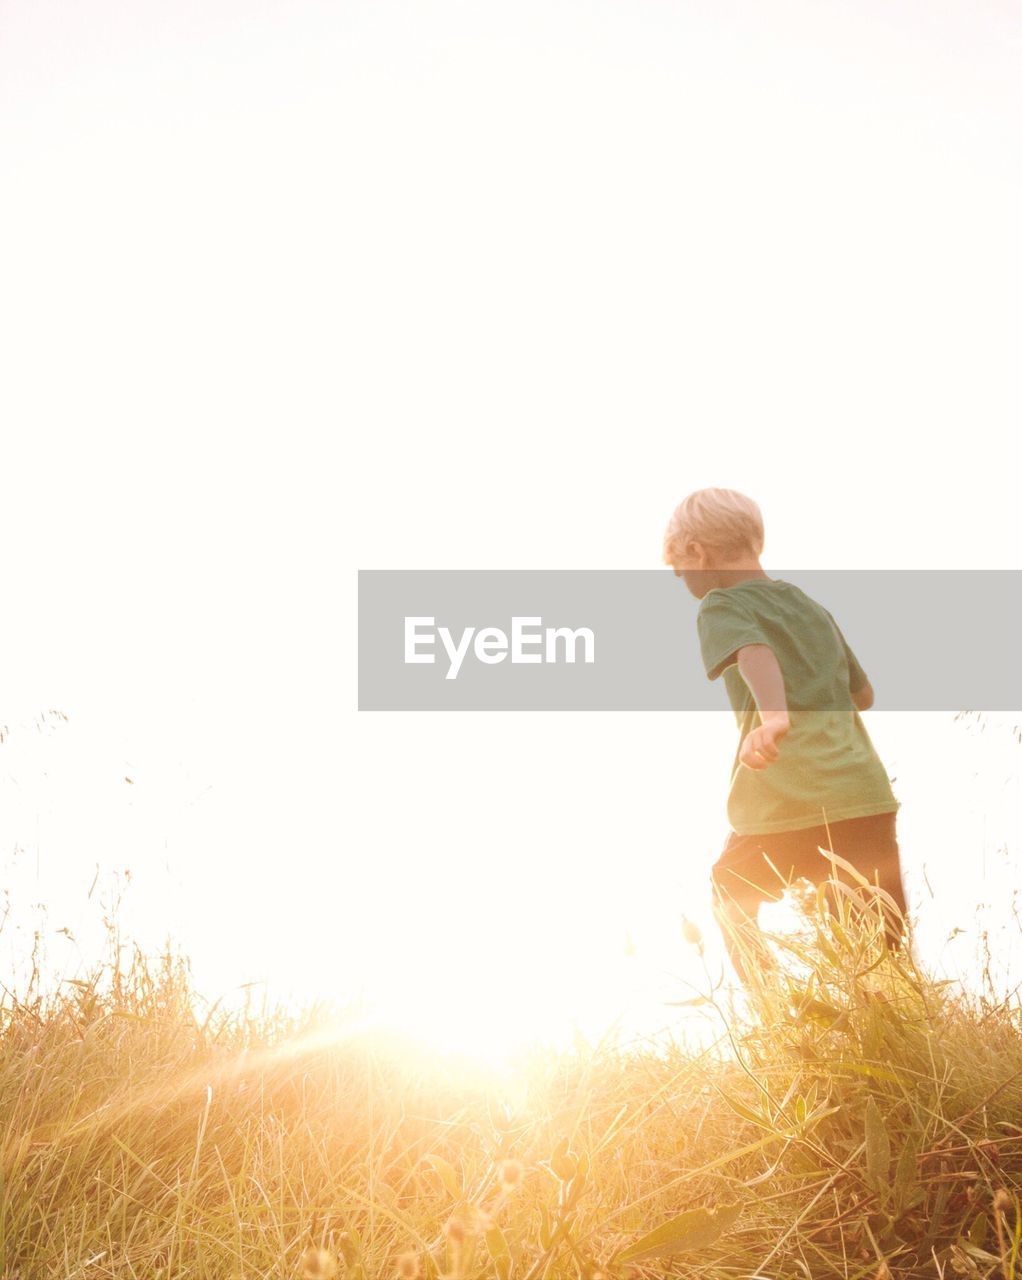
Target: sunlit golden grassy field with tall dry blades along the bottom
855 1121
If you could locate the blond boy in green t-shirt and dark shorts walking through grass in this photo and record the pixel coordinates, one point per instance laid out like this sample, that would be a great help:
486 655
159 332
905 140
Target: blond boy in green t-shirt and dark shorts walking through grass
806 774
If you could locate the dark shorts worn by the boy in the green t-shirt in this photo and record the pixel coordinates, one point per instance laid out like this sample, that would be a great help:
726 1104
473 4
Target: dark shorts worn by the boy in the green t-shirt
745 875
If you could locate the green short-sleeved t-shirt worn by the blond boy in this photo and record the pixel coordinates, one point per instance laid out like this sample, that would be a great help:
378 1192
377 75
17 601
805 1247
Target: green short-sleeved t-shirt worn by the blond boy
828 769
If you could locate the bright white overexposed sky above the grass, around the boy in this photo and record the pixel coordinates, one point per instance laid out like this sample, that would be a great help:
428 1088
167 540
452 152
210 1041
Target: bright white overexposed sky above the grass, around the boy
291 290
